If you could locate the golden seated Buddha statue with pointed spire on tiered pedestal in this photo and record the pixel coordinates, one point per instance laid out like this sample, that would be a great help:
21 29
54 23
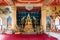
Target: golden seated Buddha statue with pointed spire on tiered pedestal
28 25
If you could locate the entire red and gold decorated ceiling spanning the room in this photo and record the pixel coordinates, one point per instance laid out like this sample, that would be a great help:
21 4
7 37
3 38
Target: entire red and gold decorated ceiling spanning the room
21 2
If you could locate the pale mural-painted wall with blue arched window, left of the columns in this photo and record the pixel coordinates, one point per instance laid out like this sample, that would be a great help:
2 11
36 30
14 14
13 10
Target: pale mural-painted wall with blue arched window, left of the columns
6 19
